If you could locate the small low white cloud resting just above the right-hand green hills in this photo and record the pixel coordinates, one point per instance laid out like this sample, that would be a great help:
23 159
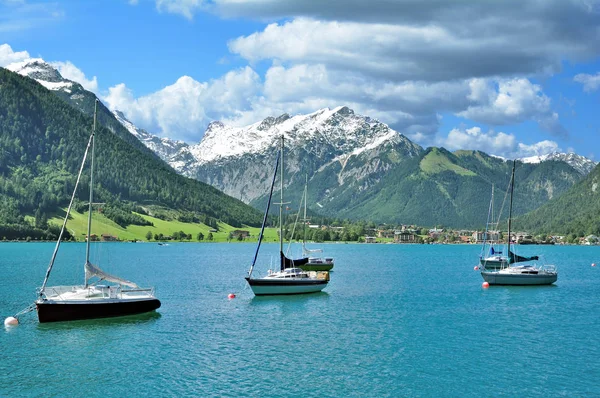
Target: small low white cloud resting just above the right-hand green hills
495 143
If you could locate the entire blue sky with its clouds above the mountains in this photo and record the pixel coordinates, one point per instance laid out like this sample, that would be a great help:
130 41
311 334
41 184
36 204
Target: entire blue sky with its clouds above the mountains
512 78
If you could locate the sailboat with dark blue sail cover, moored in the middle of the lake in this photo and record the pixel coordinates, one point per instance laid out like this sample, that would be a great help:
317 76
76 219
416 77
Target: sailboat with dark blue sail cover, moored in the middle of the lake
290 278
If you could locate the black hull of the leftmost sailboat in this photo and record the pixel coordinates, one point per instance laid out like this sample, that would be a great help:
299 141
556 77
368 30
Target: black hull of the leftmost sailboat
57 311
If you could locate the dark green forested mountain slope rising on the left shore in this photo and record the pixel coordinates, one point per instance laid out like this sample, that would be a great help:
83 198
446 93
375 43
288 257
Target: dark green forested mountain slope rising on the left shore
42 140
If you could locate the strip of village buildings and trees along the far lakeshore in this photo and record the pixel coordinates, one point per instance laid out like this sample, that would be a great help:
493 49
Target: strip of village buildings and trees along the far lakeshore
380 234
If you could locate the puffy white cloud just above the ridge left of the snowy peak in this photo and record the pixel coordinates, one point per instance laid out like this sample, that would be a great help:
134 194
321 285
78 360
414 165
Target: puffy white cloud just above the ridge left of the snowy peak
183 109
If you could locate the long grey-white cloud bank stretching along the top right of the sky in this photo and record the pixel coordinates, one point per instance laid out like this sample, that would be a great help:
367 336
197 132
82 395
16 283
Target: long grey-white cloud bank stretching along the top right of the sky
413 40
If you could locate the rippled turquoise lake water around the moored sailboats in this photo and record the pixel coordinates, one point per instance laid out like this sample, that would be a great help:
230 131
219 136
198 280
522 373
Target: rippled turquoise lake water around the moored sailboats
395 320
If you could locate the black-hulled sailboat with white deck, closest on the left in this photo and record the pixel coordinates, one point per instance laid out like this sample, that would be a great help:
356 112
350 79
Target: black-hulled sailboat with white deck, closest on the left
107 295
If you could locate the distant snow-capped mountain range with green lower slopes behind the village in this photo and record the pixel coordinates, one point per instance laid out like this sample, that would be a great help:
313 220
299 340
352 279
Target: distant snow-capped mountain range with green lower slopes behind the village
357 167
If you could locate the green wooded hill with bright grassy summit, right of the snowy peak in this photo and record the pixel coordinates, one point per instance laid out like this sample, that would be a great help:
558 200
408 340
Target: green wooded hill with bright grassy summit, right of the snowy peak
454 189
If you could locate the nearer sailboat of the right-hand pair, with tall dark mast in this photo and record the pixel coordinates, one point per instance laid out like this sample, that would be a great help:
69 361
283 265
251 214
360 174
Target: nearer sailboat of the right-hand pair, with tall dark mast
527 274
